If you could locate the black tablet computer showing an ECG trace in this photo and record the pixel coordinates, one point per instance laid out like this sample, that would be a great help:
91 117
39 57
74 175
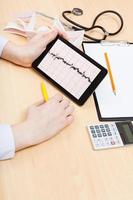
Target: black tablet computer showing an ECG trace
71 70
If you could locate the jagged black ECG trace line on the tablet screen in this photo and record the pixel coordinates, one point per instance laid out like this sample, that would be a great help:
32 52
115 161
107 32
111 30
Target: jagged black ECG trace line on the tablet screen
56 56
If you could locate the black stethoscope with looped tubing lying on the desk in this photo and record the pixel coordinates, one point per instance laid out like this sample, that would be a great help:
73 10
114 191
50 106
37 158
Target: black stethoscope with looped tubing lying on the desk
76 26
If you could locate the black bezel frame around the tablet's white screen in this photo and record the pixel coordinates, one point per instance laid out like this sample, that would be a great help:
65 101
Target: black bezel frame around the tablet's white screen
91 87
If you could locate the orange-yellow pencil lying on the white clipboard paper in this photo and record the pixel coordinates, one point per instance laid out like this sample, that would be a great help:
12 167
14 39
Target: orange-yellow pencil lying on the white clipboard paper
110 73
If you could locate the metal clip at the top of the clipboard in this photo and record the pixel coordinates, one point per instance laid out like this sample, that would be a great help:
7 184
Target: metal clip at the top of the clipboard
115 42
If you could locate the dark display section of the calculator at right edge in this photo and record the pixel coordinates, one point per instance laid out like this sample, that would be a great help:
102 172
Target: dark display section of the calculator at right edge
126 131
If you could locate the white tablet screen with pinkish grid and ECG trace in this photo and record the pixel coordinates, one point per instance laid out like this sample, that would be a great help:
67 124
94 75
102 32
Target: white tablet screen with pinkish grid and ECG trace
69 69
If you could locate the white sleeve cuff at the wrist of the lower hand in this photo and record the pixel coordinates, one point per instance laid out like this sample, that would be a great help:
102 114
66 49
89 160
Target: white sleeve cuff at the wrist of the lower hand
7 146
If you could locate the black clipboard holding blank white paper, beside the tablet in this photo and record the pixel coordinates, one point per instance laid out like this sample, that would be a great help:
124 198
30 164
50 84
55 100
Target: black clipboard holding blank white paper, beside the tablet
110 107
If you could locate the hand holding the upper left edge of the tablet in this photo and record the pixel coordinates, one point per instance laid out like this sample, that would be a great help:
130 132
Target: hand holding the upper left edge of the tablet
24 55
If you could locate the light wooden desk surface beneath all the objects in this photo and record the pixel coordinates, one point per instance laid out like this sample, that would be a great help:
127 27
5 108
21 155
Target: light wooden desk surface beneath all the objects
64 167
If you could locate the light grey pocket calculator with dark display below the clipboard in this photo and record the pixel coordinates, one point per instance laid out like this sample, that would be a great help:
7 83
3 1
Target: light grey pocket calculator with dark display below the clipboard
111 135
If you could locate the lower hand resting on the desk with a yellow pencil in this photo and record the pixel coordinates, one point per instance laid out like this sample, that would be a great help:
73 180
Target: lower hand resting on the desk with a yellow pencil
43 121
